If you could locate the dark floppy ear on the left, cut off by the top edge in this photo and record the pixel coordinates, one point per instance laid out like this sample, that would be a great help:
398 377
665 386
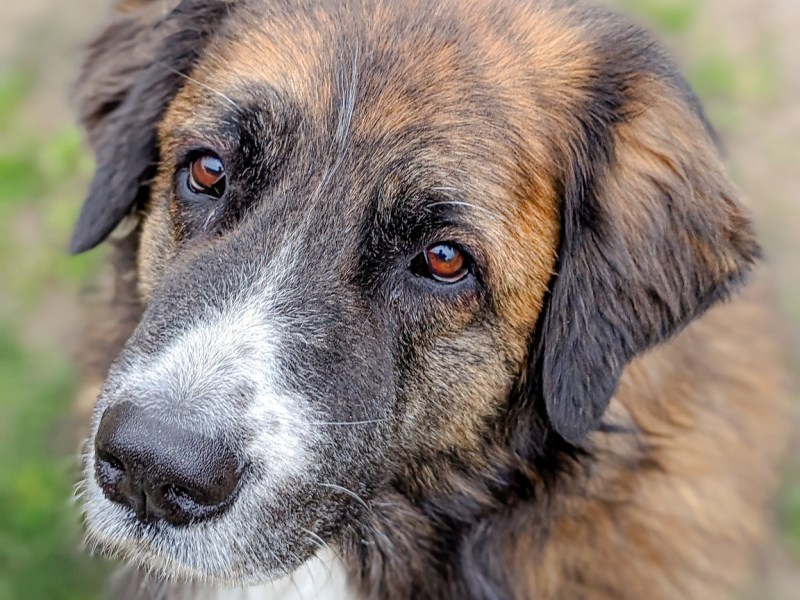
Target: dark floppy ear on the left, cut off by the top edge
134 67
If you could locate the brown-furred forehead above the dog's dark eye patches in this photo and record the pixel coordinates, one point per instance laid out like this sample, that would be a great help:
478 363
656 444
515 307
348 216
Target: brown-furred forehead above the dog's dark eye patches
476 71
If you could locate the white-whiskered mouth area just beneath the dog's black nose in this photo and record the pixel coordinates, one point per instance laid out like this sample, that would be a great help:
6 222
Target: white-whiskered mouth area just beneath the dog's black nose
233 547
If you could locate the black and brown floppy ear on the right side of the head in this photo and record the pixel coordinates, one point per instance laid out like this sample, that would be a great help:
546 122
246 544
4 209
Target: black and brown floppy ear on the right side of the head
653 233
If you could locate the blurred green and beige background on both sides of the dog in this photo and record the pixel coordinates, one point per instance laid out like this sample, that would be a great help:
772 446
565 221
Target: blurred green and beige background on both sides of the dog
743 57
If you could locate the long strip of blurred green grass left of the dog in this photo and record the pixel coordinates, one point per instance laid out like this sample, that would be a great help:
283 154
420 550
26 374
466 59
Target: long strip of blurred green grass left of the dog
40 554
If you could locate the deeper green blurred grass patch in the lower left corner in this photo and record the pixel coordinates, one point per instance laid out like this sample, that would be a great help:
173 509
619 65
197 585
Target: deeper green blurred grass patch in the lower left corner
40 555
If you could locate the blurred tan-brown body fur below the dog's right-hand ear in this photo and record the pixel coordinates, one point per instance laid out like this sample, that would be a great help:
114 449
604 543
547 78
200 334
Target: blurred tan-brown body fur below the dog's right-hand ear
677 509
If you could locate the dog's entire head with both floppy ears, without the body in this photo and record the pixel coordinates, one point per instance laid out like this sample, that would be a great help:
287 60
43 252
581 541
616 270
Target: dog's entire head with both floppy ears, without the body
375 238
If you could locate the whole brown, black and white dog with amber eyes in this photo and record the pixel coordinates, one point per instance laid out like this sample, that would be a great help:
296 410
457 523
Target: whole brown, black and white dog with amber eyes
419 299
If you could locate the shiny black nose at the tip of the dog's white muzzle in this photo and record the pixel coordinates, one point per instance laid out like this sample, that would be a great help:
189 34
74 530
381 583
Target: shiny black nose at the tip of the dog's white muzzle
162 471
